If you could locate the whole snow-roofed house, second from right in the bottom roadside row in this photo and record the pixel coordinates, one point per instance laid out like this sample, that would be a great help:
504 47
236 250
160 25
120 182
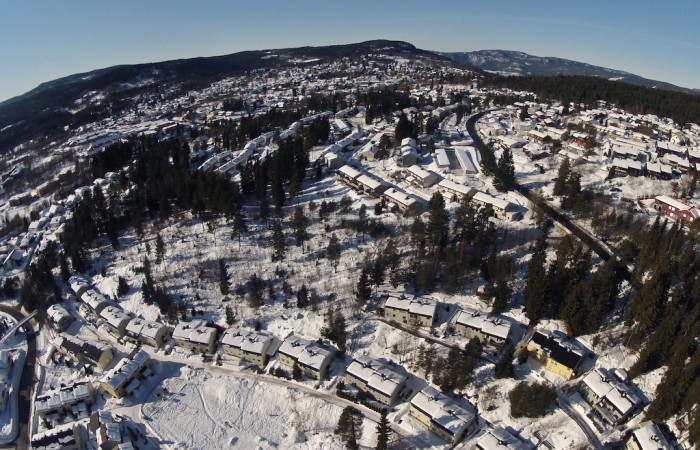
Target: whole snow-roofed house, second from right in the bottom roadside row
442 415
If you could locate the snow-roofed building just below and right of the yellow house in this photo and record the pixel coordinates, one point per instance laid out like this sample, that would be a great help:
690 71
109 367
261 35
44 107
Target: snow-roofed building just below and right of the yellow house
611 398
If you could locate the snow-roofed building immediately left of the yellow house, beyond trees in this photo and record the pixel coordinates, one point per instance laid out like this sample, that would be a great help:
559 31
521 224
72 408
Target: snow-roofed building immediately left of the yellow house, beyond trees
490 329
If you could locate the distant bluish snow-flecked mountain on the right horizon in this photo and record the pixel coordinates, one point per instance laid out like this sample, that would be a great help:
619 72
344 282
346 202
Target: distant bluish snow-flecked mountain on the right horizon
509 62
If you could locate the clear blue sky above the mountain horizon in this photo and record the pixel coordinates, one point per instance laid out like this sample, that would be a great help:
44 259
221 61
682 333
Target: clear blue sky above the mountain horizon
41 40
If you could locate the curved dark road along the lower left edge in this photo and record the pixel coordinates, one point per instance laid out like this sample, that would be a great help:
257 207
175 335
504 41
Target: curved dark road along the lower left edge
28 381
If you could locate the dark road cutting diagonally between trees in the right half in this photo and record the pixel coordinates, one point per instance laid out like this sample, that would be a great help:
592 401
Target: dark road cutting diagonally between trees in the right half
600 248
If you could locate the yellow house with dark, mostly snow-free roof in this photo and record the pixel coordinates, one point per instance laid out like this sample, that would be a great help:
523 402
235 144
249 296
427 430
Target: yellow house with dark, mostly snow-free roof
556 352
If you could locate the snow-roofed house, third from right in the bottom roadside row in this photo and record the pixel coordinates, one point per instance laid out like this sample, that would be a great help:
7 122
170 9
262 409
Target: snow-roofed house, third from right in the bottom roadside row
376 379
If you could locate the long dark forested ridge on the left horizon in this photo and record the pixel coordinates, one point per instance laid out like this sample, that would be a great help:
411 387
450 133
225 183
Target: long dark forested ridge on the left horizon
51 106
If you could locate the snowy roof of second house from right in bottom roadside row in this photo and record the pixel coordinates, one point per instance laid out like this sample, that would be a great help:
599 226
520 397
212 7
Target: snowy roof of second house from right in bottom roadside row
442 411
